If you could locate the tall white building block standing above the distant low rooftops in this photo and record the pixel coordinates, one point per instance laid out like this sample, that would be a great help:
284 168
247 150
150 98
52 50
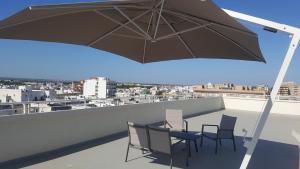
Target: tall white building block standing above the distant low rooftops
99 87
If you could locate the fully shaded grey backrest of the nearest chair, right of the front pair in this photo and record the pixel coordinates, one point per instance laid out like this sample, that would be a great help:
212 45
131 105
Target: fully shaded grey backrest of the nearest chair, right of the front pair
160 140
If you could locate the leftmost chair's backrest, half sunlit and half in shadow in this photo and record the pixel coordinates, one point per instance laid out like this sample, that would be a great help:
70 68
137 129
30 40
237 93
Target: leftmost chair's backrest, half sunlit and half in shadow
138 135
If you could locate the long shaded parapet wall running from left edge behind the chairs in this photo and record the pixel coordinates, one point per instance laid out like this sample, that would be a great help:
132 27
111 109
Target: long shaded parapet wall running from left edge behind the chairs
26 135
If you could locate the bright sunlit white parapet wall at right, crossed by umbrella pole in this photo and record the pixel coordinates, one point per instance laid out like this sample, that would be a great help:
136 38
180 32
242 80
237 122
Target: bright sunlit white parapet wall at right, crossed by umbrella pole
287 107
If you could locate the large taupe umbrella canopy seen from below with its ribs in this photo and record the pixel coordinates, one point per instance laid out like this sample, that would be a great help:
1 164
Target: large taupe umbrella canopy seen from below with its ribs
141 30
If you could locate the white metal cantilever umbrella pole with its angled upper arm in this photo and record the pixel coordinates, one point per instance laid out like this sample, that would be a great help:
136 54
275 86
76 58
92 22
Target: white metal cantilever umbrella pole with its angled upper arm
295 34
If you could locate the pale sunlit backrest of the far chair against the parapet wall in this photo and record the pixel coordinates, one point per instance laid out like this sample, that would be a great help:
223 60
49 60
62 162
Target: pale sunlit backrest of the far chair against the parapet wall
174 119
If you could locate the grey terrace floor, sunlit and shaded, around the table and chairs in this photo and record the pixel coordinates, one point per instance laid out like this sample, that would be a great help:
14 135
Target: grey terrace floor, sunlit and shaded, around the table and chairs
277 149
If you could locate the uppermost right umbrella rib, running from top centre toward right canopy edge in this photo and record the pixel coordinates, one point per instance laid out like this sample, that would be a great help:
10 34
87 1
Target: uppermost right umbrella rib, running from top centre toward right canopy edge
185 16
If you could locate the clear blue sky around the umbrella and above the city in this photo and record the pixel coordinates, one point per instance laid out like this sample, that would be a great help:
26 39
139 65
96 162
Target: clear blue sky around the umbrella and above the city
70 62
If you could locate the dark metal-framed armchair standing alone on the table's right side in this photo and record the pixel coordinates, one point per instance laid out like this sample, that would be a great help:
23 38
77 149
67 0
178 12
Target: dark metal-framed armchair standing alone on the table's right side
224 131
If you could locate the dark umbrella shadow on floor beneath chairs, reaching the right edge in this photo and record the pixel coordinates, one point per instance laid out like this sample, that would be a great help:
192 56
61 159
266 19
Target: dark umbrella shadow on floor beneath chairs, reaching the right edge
268 155
